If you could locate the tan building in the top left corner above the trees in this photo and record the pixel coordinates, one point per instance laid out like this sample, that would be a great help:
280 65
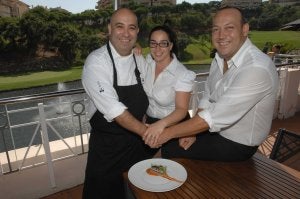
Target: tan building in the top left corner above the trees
12 8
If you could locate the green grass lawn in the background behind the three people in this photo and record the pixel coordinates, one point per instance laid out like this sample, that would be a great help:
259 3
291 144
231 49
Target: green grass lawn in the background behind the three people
198 52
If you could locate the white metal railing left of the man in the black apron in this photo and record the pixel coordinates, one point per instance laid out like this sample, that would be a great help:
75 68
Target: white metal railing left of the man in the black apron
42 128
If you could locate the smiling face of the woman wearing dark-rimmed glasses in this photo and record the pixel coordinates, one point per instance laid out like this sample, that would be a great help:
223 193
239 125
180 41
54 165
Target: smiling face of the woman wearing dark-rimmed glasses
162 52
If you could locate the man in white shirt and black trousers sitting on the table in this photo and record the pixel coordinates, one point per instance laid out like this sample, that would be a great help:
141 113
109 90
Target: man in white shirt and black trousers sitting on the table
235 114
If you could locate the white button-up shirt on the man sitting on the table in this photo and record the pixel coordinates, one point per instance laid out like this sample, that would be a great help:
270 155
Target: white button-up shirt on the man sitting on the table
240 104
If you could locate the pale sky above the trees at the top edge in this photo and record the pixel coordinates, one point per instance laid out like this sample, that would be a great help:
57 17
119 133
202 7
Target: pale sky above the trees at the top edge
77 6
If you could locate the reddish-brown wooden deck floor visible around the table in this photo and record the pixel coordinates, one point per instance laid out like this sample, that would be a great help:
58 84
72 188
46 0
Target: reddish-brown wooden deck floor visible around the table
292 124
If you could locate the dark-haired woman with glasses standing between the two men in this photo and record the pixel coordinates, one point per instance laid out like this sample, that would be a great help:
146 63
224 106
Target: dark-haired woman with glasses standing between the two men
168 84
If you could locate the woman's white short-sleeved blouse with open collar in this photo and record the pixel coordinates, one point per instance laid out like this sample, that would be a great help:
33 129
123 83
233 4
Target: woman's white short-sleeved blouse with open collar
161 92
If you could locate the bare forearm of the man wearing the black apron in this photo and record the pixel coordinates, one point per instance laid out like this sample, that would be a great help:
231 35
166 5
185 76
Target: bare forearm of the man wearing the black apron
126 120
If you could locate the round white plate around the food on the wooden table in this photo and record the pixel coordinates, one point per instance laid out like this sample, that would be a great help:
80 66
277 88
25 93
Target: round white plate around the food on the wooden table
137 175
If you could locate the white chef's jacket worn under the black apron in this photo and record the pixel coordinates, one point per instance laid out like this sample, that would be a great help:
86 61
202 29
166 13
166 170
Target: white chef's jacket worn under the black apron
97 80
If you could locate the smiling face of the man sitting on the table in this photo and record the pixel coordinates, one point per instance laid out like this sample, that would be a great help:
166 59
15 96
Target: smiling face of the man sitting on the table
228 32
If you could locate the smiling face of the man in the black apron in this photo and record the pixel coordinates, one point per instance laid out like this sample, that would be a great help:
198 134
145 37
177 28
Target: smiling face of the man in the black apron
123 30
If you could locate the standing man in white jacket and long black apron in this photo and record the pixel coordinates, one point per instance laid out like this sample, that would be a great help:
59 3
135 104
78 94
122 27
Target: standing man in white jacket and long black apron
117 104
